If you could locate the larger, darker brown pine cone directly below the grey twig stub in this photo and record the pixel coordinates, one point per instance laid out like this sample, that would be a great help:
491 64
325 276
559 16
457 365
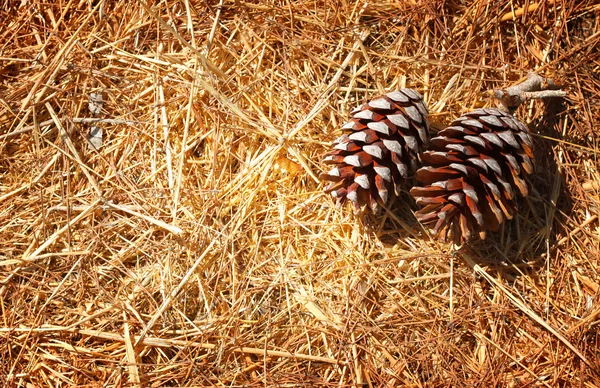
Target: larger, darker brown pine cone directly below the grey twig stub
472 173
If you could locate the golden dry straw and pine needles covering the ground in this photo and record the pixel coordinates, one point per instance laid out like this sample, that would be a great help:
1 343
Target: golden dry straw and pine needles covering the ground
195 247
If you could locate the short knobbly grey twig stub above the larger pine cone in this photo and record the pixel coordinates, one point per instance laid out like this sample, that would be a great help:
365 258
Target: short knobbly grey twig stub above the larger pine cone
534 87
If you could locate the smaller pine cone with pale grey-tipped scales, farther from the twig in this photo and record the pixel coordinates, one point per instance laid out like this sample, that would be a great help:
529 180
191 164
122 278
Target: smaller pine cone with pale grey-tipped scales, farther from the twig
379 150
